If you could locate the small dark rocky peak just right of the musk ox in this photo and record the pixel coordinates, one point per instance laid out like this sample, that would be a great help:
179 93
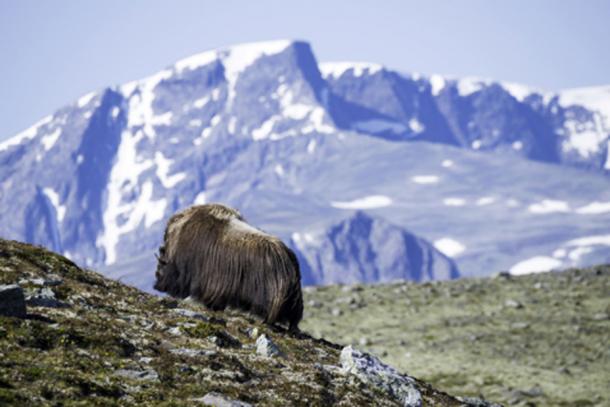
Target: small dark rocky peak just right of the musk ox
367 249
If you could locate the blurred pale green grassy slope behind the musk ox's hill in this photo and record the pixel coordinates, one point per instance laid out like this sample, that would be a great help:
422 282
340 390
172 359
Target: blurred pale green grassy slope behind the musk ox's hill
541 339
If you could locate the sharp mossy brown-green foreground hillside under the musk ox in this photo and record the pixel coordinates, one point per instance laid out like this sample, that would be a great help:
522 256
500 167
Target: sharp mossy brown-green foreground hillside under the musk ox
78 354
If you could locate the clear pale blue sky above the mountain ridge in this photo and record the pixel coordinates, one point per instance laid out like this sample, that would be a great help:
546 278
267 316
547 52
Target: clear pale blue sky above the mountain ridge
54 51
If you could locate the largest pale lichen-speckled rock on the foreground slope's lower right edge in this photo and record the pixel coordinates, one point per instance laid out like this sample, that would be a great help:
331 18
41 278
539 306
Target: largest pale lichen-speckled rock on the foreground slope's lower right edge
371 370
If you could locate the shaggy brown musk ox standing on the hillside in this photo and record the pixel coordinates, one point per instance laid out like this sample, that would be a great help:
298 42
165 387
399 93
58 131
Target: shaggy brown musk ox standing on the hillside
211 254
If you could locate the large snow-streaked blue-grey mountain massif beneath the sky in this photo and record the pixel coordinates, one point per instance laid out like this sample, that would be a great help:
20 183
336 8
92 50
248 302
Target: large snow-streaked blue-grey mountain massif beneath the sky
493 174
